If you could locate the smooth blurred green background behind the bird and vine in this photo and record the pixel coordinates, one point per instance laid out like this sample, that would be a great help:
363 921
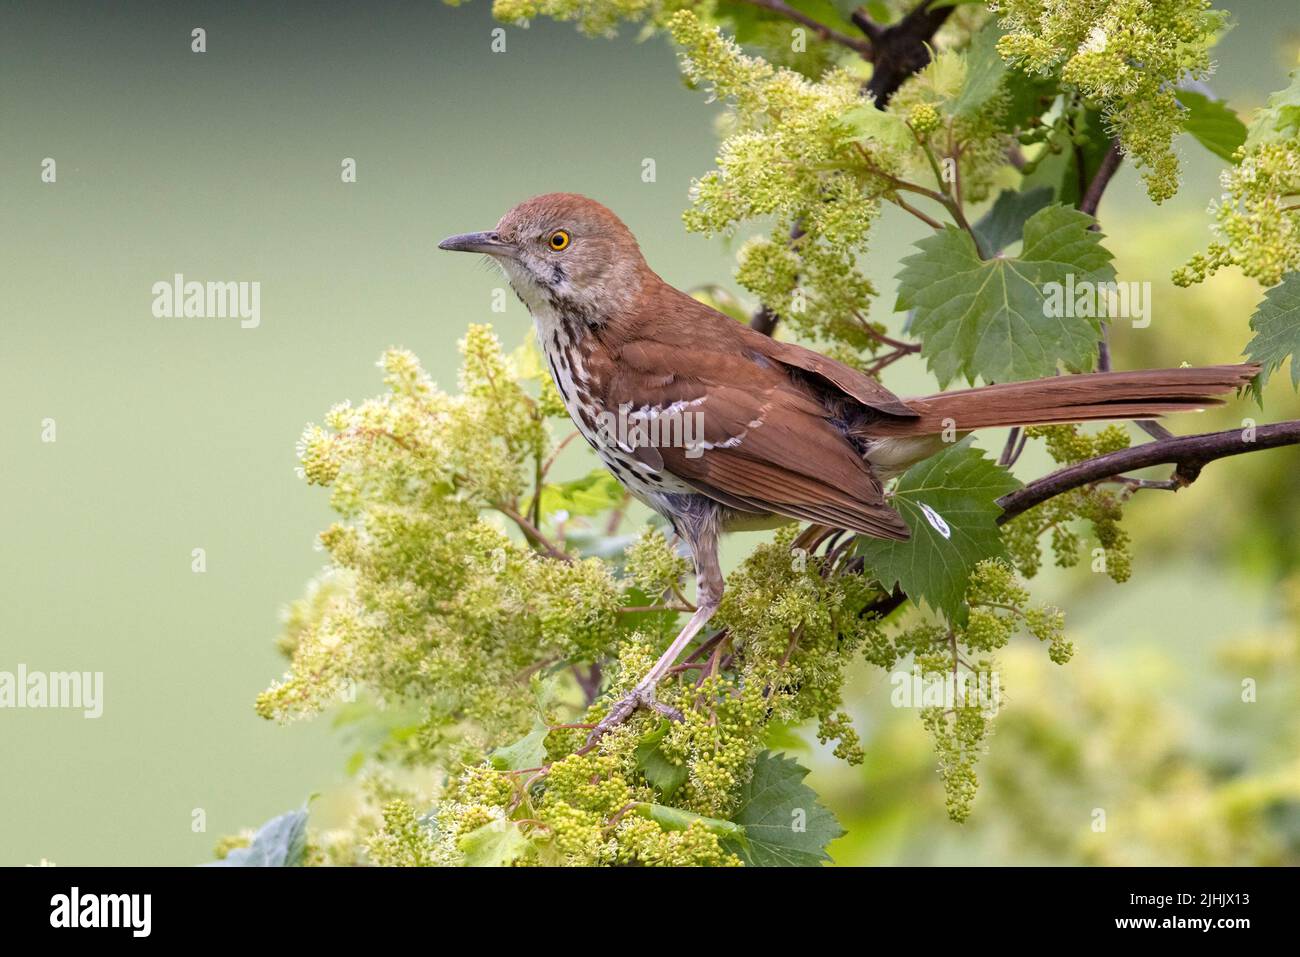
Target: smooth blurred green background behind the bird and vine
175 434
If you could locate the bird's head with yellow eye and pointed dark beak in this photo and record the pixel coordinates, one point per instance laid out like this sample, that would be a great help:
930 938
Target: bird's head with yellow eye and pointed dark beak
564 253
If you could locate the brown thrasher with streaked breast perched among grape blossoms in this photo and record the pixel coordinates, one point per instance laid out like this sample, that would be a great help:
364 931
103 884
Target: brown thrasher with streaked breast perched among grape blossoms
786 434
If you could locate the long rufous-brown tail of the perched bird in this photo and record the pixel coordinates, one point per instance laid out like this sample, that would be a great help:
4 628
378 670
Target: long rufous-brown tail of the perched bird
1098 396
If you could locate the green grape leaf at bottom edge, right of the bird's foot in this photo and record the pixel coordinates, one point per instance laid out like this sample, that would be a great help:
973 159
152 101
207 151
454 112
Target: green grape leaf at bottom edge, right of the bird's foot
785 824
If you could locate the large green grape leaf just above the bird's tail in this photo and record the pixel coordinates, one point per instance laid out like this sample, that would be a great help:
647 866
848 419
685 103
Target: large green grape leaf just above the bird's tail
991 319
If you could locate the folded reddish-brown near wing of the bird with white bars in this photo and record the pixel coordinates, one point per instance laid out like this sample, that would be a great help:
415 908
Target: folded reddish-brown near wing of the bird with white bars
766 444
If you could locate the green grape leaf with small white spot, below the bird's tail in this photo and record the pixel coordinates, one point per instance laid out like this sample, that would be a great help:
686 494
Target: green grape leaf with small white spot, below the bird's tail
950 503
